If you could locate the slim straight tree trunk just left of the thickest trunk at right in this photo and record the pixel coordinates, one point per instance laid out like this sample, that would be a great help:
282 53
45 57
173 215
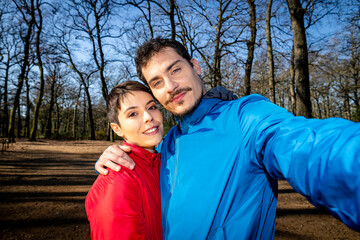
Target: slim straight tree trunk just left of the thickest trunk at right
271 75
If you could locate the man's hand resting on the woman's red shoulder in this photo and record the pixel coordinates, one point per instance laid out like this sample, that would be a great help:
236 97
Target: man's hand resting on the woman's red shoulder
113 157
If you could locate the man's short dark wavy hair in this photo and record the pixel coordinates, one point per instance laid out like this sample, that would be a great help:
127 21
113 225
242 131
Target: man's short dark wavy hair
149 48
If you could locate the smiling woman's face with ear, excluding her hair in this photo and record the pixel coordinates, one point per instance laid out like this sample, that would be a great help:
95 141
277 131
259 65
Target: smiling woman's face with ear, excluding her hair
141 122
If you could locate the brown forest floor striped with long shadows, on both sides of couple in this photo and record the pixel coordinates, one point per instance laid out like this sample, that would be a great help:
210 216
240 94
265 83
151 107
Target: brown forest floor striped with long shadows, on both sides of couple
43 186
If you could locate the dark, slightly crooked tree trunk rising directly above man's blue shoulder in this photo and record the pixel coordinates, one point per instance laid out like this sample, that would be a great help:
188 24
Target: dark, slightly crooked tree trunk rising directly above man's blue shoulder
250 46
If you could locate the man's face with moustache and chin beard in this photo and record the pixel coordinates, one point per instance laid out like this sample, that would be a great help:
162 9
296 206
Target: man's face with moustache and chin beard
174 82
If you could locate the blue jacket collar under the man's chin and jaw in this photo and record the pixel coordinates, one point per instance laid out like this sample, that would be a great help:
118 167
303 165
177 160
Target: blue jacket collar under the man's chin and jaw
199 113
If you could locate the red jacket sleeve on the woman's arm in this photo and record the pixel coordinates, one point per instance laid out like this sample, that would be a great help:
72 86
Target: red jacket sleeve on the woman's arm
114 207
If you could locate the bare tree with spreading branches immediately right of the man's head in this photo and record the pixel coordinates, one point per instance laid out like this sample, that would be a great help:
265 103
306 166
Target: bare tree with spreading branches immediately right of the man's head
217 33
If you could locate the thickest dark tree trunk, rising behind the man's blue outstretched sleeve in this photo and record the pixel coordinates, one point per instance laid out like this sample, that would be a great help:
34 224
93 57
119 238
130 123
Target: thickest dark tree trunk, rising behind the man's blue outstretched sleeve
303 102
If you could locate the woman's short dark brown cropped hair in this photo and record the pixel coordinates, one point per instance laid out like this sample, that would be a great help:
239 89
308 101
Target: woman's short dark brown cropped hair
117 95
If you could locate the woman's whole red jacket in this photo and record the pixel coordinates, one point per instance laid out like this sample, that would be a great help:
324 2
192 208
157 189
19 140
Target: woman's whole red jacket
126 204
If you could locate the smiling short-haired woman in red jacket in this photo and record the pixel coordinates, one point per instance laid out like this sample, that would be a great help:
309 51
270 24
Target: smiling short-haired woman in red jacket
126 204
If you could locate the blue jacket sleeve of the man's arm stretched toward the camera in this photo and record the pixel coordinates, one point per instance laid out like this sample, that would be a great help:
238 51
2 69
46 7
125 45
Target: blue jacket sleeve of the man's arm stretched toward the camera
319 158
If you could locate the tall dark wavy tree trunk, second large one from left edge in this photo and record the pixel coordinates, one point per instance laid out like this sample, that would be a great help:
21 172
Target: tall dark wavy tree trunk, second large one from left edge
42 81
